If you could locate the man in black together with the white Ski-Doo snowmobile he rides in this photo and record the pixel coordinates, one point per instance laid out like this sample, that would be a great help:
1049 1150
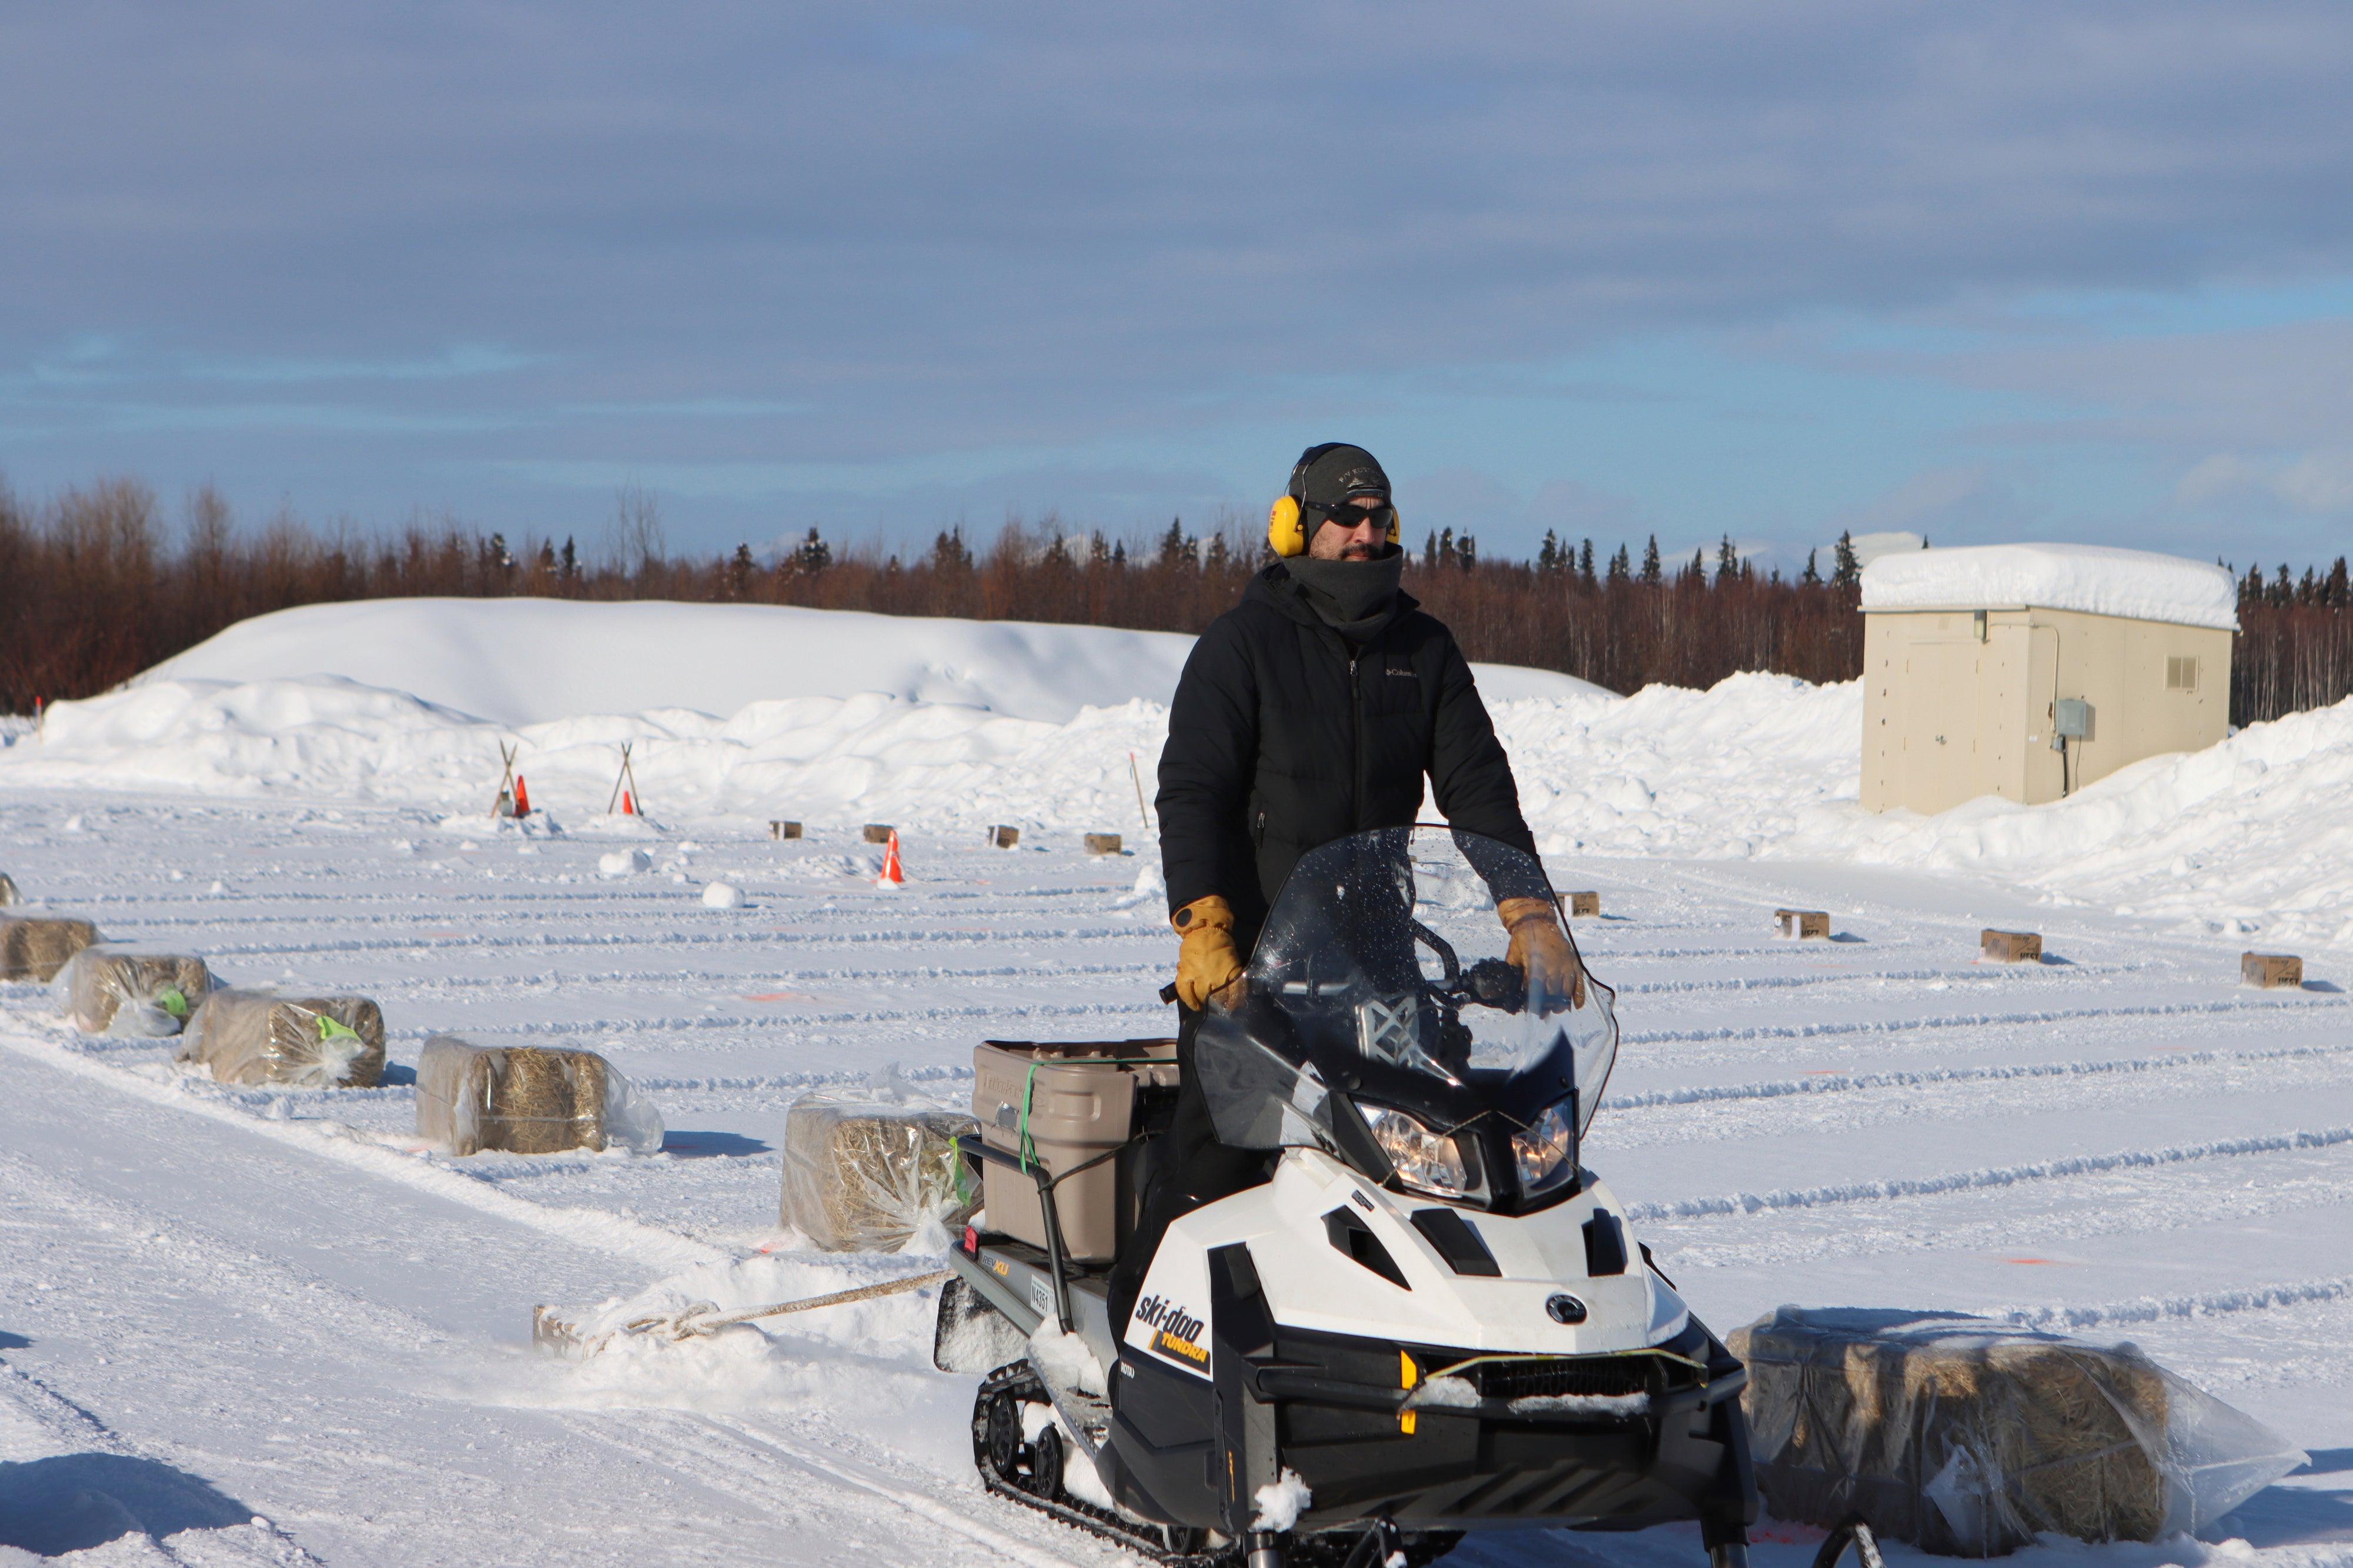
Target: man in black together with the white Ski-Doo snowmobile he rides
1373 1296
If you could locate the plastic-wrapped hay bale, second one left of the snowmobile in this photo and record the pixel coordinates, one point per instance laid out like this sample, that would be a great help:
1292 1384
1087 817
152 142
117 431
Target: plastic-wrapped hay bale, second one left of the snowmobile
528 1101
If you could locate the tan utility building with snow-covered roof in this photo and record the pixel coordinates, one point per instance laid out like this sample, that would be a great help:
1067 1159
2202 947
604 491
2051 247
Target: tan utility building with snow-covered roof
2034 670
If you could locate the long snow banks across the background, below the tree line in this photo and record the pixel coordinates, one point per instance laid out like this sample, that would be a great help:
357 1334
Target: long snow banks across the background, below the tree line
2248 837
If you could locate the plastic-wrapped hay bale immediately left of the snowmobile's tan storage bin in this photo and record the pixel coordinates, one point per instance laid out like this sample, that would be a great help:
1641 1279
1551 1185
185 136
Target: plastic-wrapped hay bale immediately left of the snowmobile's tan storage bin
867 1174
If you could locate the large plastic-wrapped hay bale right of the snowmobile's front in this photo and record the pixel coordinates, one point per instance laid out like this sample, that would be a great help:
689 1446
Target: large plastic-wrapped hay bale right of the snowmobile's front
1971 1437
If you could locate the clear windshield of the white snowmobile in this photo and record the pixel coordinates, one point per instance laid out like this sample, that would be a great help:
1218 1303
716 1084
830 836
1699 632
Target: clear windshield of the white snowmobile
1385 981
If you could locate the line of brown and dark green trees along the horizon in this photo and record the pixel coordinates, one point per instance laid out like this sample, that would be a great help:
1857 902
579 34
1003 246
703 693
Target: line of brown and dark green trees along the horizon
95 587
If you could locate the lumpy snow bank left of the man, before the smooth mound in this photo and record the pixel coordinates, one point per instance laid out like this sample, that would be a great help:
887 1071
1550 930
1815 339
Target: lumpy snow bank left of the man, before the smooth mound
822 759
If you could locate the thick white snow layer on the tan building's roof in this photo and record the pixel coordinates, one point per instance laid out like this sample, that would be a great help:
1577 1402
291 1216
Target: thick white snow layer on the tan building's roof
2088 578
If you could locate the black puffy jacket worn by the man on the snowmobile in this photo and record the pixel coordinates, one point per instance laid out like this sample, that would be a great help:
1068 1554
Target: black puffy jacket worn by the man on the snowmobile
1286 738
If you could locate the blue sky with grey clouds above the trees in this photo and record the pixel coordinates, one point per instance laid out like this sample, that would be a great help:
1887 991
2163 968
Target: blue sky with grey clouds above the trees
1994 272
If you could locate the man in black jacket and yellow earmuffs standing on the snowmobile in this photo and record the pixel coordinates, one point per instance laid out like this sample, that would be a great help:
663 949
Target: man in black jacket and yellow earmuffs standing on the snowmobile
1309 712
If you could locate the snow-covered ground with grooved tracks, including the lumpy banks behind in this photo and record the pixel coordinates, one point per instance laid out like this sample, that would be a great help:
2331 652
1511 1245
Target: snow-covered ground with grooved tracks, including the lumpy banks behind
265 1327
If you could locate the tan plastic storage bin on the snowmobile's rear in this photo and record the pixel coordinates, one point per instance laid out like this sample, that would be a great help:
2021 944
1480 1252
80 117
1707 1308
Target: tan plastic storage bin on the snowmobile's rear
1079 1101
